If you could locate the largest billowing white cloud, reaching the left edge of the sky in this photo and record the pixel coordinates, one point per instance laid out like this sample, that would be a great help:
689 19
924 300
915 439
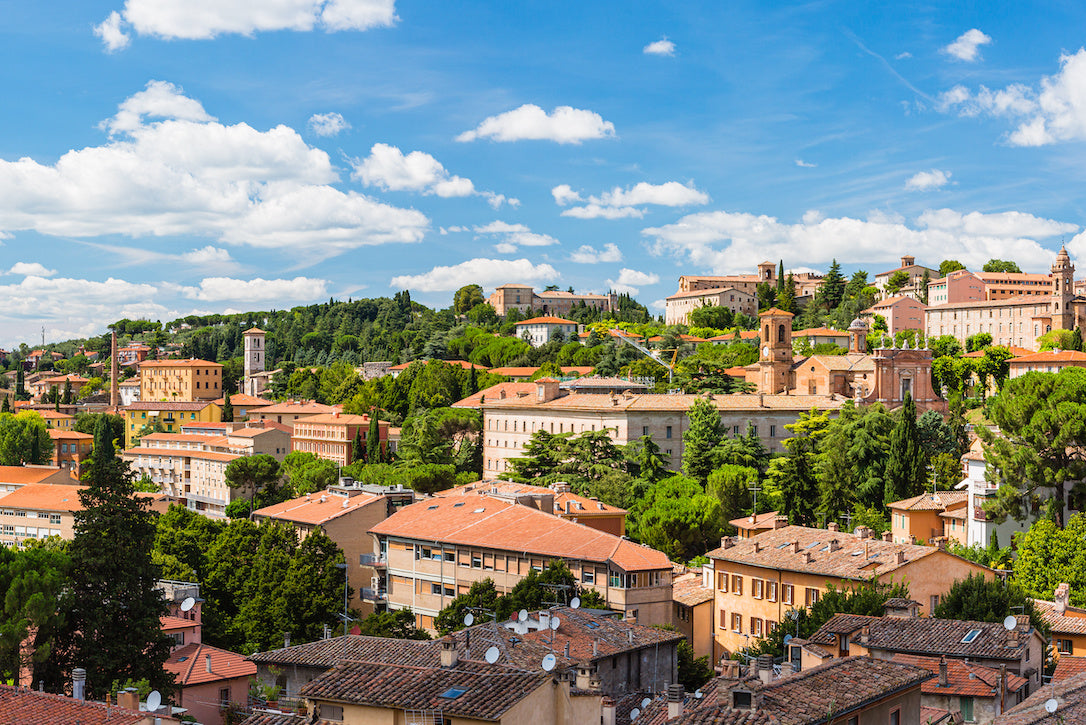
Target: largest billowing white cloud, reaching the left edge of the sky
169 169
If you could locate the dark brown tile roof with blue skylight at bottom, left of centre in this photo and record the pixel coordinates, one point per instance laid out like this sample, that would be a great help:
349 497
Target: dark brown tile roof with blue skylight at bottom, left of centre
488 691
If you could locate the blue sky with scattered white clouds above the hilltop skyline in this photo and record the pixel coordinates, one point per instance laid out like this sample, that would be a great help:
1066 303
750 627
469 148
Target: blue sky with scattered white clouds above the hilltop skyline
161 158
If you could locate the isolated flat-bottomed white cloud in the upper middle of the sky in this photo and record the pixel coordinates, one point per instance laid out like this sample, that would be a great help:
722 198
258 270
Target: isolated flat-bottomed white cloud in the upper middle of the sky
564 125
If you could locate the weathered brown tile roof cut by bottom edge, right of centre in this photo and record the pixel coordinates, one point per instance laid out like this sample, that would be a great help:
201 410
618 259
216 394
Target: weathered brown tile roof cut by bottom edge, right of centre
844 686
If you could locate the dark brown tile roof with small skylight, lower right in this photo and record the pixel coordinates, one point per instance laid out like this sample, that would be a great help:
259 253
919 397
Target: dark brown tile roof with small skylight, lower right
929 637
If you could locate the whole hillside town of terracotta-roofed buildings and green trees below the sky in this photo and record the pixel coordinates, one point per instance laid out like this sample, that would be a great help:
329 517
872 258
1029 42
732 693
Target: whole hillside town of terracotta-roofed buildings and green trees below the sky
793 499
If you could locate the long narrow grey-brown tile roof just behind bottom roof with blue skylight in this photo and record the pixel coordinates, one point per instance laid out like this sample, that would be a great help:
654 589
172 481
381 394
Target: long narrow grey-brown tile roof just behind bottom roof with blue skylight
326 654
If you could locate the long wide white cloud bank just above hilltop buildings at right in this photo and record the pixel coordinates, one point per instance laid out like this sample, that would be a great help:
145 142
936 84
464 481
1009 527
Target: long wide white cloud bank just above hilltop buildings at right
728 243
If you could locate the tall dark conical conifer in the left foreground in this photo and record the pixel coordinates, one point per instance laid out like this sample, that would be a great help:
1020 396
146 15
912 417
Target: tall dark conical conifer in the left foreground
112 608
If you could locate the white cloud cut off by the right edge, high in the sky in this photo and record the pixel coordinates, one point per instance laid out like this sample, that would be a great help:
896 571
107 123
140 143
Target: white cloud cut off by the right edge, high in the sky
1053 112
